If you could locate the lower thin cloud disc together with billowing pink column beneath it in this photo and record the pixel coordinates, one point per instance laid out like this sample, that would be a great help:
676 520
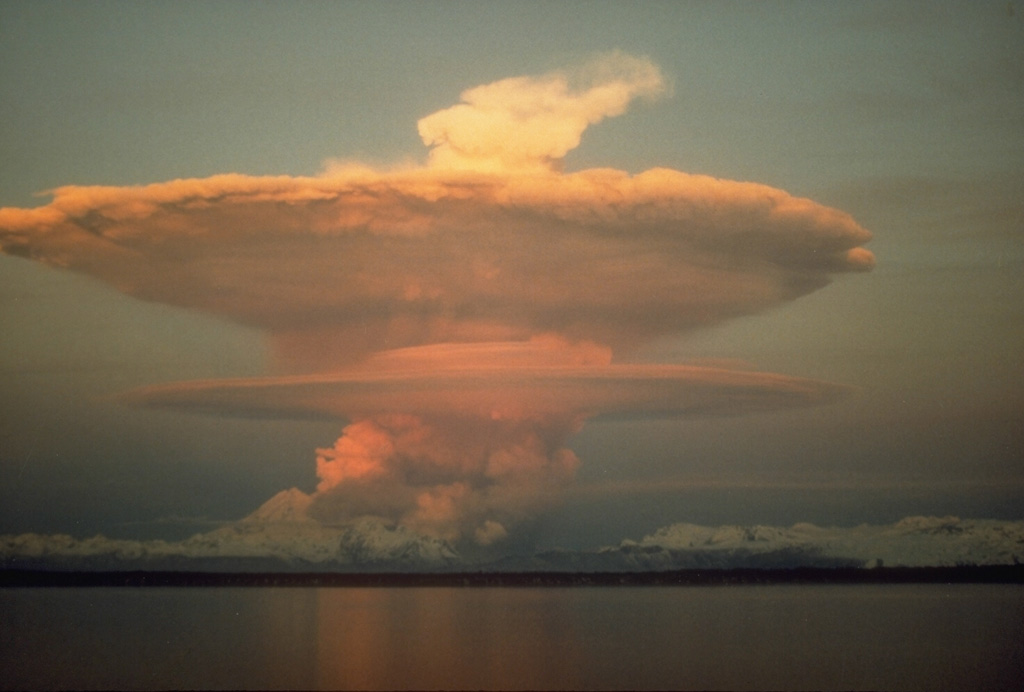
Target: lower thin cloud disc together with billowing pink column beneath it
465 441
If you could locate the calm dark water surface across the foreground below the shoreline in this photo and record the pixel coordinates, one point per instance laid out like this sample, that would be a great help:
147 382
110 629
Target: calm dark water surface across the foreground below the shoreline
779 637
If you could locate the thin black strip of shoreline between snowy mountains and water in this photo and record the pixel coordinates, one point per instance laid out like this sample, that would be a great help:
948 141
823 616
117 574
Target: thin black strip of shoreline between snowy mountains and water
687 578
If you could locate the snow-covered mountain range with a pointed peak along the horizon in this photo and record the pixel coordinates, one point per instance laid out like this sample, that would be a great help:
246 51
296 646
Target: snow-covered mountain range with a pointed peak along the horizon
278 538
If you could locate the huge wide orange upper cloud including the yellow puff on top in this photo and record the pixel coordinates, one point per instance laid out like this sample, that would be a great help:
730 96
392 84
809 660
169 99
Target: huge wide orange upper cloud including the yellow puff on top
489 248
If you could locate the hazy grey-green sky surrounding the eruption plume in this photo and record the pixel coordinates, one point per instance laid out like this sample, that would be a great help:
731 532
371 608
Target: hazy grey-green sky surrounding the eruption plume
908 116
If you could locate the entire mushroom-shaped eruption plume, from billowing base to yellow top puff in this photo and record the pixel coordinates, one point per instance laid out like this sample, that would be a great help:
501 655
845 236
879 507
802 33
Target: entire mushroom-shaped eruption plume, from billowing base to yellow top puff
466 317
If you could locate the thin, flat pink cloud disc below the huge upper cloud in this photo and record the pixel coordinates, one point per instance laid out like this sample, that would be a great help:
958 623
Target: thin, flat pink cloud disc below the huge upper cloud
480 381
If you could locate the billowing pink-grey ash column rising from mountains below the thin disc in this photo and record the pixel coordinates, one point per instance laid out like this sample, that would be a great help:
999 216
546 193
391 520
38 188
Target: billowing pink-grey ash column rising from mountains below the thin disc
444 478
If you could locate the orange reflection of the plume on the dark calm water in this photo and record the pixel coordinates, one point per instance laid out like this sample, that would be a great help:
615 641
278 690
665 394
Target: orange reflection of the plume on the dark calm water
447 638
